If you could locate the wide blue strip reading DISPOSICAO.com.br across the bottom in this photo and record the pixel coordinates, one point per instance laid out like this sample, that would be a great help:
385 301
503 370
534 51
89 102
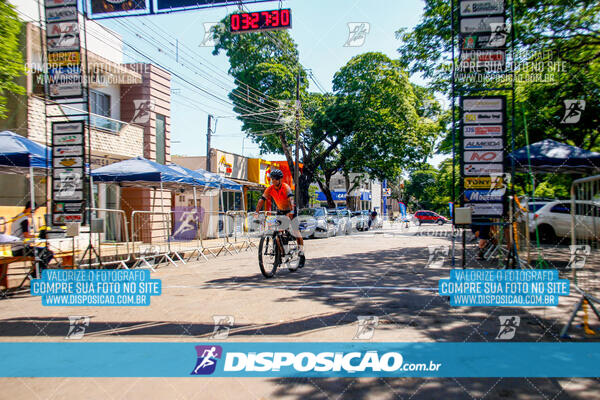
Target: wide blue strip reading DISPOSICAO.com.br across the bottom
317 360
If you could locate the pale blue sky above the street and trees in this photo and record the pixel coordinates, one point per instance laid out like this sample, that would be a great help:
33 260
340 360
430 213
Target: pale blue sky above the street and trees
320 28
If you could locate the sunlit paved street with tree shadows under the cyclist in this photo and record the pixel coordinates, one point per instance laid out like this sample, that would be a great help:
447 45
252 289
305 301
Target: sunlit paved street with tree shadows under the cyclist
382 274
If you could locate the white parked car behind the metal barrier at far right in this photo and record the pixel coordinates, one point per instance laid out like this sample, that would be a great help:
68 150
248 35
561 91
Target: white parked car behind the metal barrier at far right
553 220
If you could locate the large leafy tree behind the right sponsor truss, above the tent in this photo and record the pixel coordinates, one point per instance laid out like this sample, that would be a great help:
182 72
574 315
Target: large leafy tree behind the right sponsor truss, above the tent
561 35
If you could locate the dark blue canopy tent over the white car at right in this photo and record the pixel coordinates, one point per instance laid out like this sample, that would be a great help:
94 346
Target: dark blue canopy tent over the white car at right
549 156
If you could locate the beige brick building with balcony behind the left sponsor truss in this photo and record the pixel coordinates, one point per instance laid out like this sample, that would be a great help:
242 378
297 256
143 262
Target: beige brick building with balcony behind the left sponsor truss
130 114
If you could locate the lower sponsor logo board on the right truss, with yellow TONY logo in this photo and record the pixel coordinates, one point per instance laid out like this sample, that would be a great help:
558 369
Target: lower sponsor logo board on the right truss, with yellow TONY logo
482 138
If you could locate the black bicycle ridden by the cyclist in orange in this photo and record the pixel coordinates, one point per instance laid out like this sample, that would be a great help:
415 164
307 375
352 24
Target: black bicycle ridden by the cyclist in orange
278 246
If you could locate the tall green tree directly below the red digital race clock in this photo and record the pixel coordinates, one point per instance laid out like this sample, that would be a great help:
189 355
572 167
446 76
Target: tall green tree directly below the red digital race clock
265 66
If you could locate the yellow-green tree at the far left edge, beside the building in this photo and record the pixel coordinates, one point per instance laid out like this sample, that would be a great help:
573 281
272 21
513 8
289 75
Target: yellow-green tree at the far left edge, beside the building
11 61
